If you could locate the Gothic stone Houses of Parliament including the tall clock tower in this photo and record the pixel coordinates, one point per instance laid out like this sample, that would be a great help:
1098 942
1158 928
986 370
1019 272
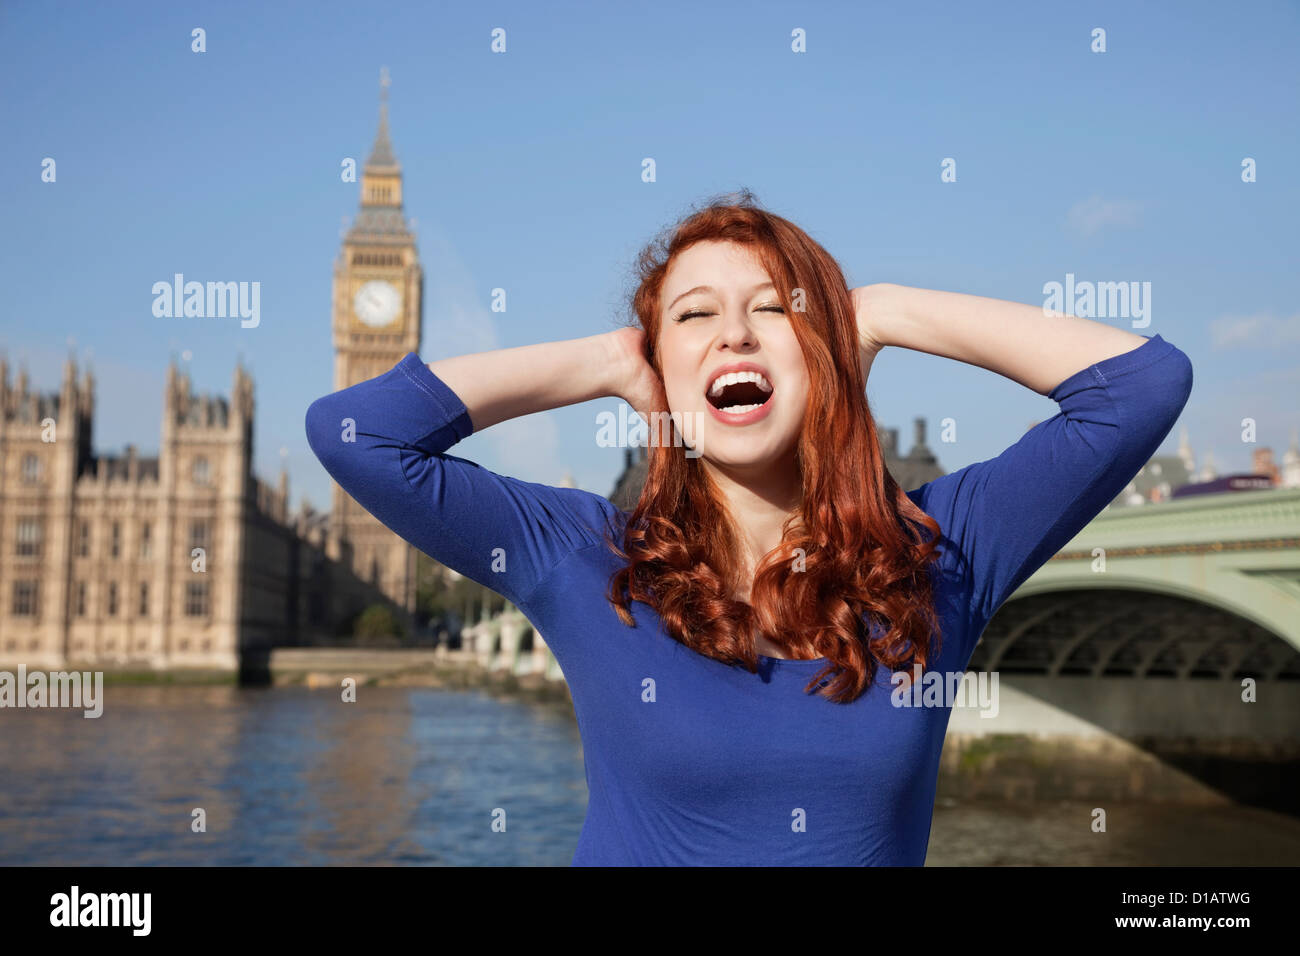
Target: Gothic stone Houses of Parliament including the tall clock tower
188 560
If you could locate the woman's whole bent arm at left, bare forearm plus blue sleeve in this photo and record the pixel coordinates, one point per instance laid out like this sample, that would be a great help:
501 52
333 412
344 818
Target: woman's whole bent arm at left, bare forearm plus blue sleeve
385 443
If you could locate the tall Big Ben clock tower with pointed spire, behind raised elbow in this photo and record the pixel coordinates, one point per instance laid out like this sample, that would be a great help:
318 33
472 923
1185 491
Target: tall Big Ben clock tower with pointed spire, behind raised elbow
378 314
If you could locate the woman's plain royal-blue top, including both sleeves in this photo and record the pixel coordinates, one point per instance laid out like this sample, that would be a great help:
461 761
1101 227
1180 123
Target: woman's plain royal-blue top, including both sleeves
695 762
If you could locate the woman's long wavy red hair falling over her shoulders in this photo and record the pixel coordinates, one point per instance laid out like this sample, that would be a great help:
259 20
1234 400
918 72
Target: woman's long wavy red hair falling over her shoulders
856 551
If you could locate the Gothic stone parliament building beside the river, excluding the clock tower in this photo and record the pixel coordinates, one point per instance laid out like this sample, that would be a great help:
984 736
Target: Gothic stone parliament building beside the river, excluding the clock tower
179 561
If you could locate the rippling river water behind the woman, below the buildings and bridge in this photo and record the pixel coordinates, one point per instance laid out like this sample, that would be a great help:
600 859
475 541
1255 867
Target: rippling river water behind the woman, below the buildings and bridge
414 776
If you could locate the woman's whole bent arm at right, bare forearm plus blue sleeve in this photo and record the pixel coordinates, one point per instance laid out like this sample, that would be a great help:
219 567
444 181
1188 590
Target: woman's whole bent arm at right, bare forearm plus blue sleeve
1002 520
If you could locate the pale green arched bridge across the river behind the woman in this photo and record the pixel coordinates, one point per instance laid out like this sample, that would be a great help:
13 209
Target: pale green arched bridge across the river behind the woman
1171 628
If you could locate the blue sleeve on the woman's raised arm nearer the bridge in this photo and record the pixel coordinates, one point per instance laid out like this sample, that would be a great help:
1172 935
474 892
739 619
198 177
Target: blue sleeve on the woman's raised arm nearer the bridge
1004 518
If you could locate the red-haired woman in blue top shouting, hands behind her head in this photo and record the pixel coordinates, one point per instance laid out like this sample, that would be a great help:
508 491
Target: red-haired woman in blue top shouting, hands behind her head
730 644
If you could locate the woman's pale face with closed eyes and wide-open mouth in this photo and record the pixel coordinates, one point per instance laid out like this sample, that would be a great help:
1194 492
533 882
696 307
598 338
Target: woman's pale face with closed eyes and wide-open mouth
720 309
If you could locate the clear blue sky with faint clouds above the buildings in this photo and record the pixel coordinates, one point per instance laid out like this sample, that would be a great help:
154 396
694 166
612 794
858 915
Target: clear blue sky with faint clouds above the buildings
523 171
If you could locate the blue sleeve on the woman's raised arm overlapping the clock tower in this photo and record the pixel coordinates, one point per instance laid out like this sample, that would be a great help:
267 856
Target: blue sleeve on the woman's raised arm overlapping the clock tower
385 442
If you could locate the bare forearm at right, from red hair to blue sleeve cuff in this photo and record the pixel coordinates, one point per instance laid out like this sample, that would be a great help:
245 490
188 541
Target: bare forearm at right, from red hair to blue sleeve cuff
1020 341
